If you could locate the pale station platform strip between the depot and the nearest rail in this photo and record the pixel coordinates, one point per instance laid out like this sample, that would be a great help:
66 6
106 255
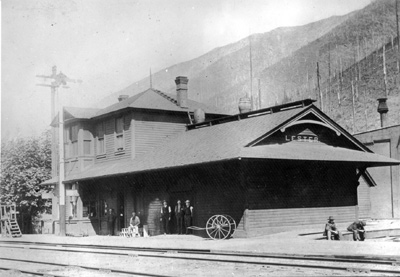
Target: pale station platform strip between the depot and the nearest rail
295 242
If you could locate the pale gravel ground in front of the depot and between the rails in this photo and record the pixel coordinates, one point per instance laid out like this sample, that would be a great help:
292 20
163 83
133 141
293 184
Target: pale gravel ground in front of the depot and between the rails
284 243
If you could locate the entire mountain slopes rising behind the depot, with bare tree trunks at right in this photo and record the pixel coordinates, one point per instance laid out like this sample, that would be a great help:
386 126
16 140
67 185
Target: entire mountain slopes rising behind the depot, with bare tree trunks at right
284 67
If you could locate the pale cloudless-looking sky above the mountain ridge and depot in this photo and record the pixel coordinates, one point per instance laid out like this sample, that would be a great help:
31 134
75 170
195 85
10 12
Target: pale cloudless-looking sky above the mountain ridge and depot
109 45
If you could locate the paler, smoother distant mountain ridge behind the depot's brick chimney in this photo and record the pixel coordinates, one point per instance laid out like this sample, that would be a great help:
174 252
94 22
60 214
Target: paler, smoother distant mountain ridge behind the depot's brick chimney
225 67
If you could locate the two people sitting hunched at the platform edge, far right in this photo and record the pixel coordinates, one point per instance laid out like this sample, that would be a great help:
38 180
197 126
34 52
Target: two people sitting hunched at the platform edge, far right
357 228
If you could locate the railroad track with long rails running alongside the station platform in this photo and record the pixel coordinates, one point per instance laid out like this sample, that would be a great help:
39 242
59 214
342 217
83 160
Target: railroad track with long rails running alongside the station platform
358 264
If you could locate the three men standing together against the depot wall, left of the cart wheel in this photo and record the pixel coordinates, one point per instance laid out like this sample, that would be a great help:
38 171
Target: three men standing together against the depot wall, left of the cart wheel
183 215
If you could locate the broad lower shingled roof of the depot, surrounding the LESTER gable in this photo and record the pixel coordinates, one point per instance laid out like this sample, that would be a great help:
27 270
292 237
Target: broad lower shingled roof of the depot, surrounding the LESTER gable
231 140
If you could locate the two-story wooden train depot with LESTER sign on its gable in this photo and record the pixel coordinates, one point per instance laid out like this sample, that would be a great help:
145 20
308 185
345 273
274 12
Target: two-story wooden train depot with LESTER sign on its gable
271 169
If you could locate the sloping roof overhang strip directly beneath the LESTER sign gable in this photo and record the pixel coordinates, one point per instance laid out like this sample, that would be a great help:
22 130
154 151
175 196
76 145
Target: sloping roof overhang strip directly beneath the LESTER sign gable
321 153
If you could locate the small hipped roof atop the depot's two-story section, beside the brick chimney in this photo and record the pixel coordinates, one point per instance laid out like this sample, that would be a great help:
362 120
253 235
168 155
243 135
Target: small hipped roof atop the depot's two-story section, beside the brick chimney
153 99
